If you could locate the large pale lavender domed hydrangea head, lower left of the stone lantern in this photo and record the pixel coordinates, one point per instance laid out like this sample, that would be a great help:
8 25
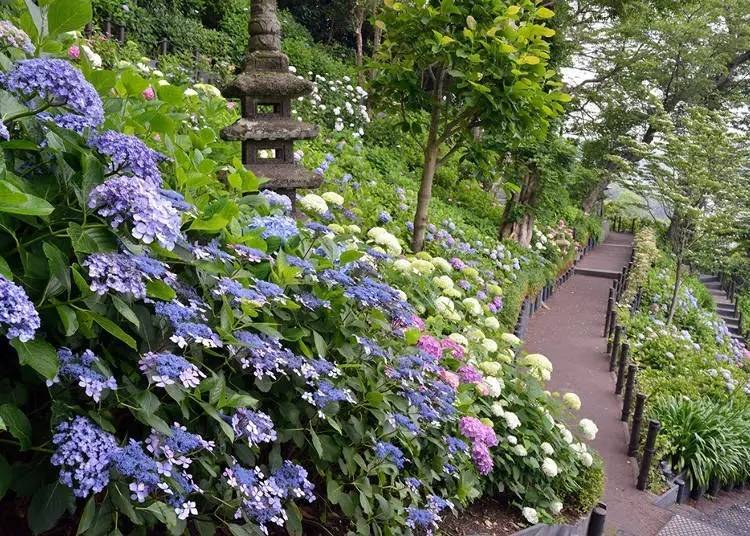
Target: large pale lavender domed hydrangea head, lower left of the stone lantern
134 201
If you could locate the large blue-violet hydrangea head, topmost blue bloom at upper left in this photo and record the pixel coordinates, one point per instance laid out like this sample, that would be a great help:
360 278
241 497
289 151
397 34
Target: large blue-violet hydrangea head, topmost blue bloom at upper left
48 81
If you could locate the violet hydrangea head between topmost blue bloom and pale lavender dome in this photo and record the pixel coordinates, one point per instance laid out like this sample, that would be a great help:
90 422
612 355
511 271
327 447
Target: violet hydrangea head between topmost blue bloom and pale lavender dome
129 154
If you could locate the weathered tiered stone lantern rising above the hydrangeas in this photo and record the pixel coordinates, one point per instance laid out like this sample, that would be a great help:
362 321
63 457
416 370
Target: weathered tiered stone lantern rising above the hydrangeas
265 89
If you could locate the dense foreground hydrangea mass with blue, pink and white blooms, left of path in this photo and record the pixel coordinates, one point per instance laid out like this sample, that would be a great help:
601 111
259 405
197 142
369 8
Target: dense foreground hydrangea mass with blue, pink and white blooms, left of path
189 356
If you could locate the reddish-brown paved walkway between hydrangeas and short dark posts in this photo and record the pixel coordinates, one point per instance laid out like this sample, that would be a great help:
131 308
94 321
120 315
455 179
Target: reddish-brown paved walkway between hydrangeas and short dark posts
570 333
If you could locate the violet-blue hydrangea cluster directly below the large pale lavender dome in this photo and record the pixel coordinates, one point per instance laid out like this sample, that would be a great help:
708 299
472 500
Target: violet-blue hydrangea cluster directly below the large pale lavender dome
122 272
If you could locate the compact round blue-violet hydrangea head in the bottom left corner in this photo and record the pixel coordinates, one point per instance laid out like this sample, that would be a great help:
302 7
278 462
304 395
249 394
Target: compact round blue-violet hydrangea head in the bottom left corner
83 453
